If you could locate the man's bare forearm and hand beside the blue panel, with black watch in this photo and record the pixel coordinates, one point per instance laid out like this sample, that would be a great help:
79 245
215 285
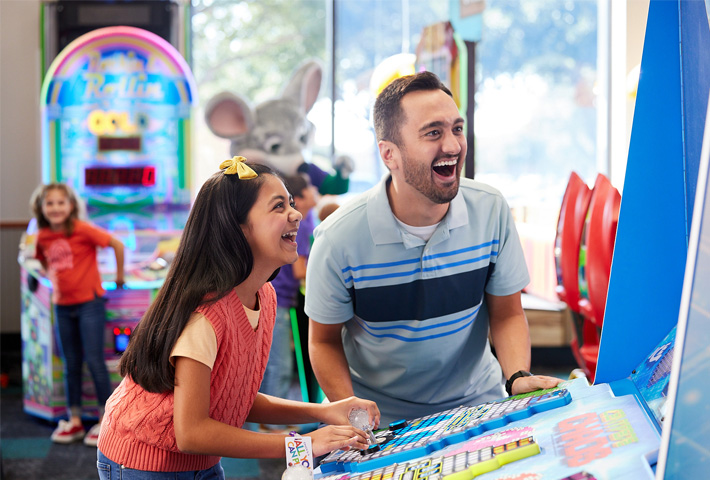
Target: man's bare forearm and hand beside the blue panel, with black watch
511 338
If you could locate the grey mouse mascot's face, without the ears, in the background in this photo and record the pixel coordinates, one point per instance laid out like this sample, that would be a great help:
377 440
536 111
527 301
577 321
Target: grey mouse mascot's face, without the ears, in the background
280 137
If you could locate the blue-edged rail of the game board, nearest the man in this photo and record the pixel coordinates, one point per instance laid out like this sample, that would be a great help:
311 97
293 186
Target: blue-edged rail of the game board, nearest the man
405 441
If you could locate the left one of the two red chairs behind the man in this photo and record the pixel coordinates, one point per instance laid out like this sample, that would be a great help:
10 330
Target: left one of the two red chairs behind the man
570 223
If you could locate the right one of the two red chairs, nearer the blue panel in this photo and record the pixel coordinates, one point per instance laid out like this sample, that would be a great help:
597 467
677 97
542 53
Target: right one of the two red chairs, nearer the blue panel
596 252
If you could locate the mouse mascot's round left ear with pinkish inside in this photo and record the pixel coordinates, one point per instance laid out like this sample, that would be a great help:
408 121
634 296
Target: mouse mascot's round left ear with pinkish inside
228 116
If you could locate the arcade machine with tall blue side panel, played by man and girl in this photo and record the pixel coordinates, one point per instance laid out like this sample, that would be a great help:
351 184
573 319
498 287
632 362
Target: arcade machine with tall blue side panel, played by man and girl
647 416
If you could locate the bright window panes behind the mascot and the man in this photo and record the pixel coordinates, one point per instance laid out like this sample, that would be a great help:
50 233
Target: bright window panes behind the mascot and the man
536 99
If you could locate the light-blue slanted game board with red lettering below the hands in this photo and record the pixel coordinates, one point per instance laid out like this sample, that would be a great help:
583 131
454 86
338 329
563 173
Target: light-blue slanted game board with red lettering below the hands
596 435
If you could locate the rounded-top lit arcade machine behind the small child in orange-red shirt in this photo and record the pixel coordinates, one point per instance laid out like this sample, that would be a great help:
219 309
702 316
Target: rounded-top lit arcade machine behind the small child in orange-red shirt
116 109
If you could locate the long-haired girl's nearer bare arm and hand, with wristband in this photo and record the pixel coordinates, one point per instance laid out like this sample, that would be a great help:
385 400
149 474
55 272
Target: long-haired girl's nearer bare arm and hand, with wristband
197 433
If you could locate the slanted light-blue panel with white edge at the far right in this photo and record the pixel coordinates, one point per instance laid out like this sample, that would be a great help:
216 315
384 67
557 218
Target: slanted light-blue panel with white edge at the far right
687 424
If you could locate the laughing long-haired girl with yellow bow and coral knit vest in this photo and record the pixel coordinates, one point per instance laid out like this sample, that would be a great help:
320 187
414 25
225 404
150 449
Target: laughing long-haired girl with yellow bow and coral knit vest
194 364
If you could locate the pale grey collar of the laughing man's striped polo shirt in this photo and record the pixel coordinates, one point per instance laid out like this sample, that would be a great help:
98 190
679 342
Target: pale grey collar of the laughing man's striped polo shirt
384 228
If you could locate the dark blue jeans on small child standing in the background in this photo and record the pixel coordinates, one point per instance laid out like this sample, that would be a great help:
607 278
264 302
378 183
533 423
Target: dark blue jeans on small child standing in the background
81 337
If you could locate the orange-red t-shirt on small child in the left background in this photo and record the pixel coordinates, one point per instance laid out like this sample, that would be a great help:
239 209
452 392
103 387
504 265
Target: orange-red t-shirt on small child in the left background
71 262
